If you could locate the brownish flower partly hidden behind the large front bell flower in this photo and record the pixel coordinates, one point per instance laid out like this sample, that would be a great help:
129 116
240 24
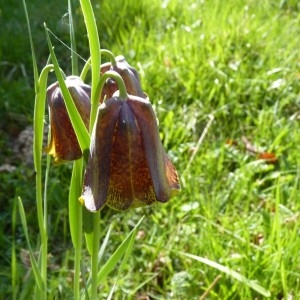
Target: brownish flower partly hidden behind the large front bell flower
129 75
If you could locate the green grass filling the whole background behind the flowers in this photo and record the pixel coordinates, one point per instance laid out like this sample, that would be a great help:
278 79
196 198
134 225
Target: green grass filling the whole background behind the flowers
238 61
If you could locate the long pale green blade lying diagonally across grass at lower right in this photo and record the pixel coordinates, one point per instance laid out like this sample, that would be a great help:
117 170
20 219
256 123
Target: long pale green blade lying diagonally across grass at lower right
252 284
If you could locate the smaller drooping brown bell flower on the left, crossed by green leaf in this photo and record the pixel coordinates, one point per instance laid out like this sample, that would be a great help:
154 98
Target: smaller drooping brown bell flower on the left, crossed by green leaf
63 145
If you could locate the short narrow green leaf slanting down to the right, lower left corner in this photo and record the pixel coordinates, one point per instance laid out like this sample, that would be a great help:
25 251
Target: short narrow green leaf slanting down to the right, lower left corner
34 264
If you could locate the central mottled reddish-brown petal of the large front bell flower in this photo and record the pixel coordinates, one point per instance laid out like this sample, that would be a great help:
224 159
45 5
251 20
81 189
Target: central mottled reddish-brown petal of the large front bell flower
130 181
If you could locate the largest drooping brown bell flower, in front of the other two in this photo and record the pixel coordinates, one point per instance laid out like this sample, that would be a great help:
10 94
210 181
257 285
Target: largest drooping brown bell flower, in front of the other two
127 166
